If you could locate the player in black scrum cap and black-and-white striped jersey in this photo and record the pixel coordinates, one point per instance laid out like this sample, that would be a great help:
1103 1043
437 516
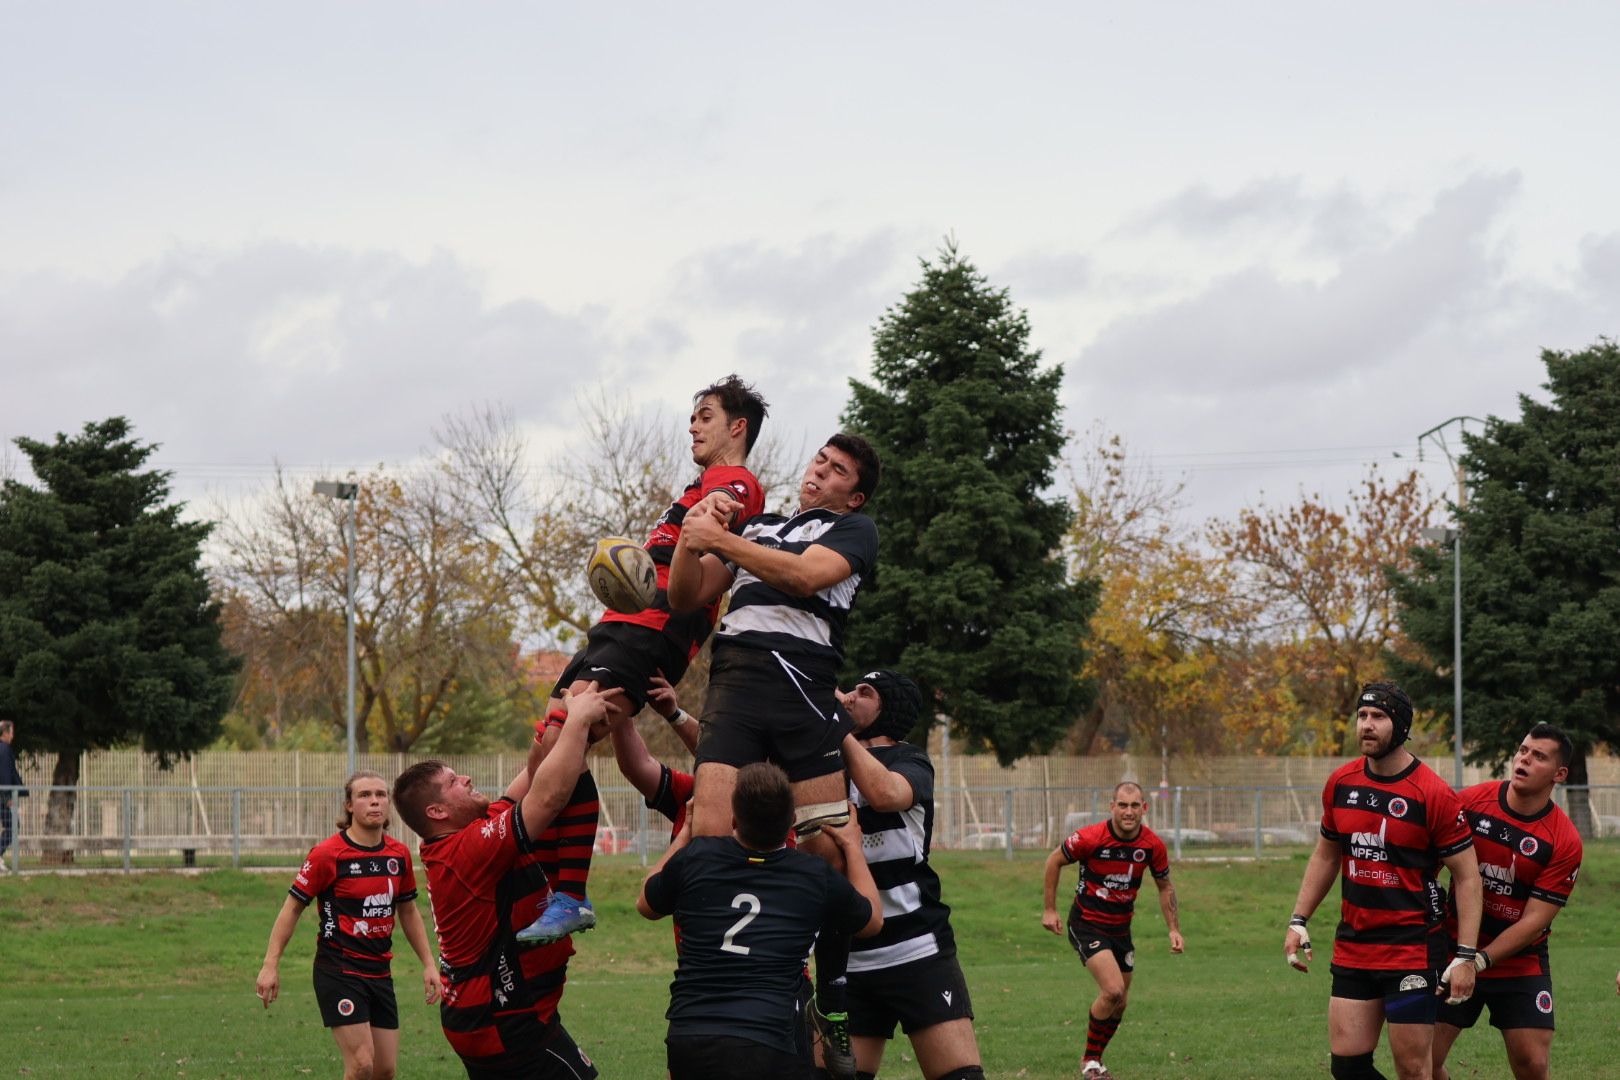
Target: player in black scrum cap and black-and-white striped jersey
908 974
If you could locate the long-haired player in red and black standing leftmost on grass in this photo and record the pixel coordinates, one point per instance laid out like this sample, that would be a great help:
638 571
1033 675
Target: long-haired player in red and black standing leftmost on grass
362 885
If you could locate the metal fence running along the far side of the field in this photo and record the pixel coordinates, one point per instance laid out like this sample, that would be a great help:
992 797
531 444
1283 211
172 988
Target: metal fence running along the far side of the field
275 827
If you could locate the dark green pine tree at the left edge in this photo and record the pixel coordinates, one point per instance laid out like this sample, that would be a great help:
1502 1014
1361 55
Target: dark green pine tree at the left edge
109 636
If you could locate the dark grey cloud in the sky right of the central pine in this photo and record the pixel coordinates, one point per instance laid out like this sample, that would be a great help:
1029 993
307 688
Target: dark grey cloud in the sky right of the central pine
1332 375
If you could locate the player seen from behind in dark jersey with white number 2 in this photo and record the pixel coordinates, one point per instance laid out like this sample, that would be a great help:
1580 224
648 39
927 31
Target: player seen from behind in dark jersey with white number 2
749 911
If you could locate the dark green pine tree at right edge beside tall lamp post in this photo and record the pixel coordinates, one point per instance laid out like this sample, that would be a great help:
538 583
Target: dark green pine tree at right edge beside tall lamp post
1541 574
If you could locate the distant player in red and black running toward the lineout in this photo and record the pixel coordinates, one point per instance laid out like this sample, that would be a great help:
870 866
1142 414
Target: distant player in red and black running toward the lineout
1115 856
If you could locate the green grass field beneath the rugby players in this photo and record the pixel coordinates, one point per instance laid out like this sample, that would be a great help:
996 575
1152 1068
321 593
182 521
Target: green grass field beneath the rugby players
151 976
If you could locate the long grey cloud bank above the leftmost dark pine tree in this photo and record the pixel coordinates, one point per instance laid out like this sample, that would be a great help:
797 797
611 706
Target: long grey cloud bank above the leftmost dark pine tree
283 352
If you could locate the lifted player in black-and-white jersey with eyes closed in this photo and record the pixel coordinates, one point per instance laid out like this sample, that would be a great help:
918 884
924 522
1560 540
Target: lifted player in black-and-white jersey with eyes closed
774 676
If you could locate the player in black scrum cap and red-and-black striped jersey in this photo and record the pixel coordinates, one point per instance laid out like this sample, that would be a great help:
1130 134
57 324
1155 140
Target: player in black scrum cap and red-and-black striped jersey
1388 827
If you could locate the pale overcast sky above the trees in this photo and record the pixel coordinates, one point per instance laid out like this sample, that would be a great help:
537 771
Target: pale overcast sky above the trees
1268 244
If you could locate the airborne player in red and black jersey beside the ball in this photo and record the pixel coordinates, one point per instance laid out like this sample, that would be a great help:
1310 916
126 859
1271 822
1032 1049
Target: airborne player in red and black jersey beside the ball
631 652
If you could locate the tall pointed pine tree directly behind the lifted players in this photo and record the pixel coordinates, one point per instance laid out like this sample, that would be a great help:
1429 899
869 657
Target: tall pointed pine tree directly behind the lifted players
971 595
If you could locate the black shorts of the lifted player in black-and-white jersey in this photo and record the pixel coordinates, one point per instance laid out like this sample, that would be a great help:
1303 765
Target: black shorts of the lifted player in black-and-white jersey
762 707
